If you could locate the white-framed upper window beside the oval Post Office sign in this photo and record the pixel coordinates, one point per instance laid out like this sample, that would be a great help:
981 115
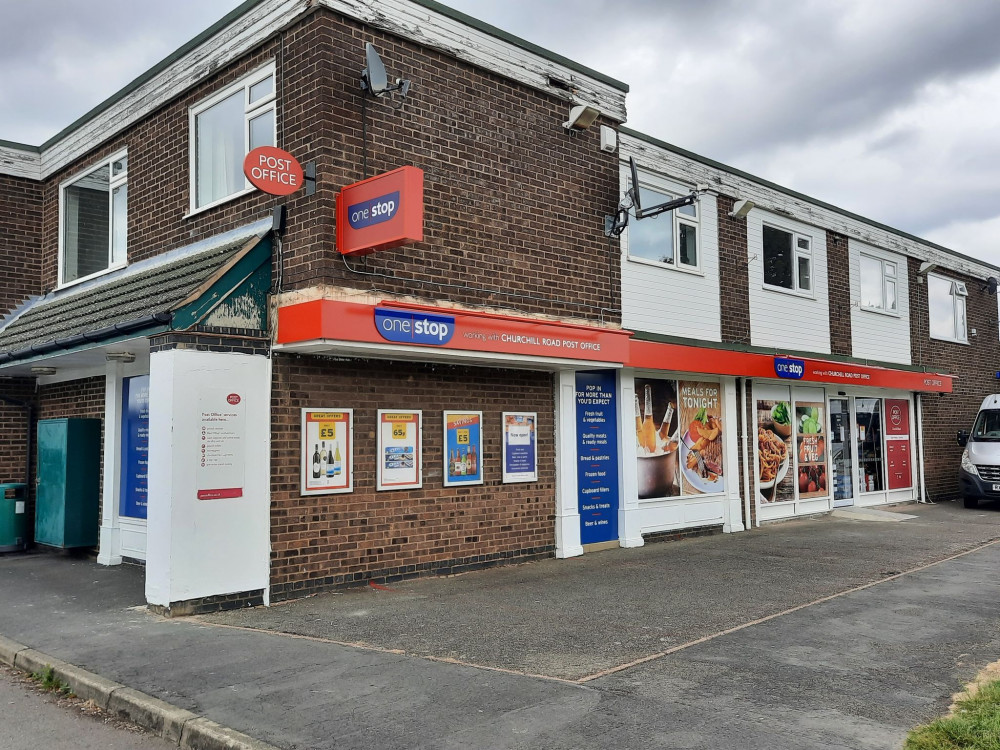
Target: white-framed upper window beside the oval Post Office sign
224 129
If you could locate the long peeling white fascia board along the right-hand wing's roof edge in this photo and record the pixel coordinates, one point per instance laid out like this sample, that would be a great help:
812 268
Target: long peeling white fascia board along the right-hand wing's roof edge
671 164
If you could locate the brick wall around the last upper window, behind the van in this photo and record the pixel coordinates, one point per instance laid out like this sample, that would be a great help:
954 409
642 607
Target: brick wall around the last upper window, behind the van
975 366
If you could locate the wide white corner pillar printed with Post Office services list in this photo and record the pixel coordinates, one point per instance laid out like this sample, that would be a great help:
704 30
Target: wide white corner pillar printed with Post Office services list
214 545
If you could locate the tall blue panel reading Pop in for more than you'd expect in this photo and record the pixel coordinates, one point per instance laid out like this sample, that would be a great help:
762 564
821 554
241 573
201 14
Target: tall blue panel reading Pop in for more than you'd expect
597 456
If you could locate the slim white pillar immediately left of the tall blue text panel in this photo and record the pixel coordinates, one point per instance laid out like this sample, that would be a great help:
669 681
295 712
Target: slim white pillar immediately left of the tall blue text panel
567 507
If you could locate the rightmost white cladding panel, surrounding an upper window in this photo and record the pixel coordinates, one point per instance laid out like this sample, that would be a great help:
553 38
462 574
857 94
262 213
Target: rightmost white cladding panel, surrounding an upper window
877 335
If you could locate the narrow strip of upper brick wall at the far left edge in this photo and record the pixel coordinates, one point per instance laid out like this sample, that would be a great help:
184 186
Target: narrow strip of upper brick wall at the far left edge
20 240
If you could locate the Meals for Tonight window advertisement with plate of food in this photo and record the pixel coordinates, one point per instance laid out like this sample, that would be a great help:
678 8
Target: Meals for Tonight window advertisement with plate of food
701 444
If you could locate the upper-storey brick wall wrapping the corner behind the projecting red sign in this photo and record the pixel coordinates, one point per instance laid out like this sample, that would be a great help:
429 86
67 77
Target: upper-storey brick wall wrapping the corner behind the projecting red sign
514 203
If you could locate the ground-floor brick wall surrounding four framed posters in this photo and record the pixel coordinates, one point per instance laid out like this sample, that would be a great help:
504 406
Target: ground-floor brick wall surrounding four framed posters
321 541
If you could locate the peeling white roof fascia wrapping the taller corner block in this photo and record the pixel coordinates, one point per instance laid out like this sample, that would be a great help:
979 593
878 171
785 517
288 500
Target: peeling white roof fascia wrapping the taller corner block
400 17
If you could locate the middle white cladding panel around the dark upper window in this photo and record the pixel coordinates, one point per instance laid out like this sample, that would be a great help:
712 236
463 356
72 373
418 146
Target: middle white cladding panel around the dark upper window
784 320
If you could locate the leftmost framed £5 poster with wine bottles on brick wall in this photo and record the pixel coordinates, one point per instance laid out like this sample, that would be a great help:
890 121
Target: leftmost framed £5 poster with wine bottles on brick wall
327 451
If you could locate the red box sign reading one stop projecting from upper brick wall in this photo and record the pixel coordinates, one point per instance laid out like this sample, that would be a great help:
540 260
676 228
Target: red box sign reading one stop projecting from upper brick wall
382 212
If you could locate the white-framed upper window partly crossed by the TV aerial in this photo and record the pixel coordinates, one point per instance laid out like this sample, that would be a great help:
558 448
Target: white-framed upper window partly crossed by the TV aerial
670 239
